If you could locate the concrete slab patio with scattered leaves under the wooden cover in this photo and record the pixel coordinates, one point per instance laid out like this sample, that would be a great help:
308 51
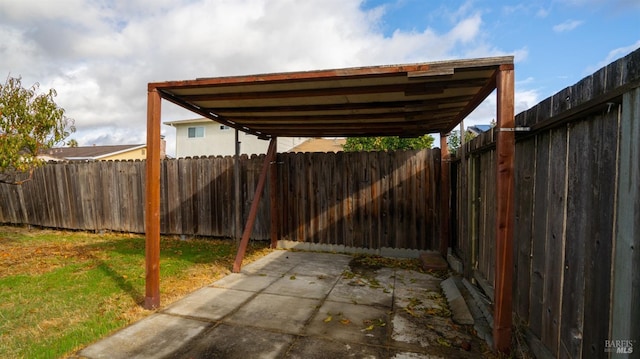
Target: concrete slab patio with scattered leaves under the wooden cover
294 304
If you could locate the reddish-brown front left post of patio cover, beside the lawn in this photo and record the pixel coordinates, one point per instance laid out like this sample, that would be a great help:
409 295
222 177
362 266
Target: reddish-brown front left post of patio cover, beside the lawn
152 205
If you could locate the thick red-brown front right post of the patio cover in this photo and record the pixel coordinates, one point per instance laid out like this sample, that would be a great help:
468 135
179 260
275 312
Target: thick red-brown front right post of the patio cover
505 206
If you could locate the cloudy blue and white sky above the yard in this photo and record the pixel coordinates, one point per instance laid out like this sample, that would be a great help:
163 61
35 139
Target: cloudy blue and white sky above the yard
99 55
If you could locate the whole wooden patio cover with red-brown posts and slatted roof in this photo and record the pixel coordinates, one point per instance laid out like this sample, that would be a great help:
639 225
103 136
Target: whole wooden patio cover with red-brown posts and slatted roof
407 100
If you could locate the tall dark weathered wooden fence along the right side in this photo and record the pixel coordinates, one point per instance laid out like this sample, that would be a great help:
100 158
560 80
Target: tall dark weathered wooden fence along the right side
577 212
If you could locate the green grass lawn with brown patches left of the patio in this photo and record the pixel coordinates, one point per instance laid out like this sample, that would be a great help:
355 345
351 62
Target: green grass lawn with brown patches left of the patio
60 291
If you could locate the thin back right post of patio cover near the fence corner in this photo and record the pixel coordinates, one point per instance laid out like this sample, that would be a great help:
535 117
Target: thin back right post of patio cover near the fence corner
445 194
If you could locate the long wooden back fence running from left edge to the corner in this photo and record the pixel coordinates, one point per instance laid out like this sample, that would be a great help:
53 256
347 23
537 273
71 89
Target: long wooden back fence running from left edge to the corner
369 200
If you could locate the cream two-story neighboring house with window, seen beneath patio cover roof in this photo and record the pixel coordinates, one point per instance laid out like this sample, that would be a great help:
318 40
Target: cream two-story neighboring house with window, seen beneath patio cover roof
205 137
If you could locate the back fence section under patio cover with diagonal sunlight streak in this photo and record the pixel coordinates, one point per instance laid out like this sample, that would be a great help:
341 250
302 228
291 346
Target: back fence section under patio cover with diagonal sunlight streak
354 199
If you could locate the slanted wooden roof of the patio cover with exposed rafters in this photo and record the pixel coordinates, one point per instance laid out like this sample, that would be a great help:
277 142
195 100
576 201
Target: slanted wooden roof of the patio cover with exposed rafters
404 100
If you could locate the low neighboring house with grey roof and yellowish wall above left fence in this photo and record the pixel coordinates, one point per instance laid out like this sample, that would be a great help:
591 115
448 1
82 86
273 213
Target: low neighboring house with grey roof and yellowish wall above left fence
98 153
